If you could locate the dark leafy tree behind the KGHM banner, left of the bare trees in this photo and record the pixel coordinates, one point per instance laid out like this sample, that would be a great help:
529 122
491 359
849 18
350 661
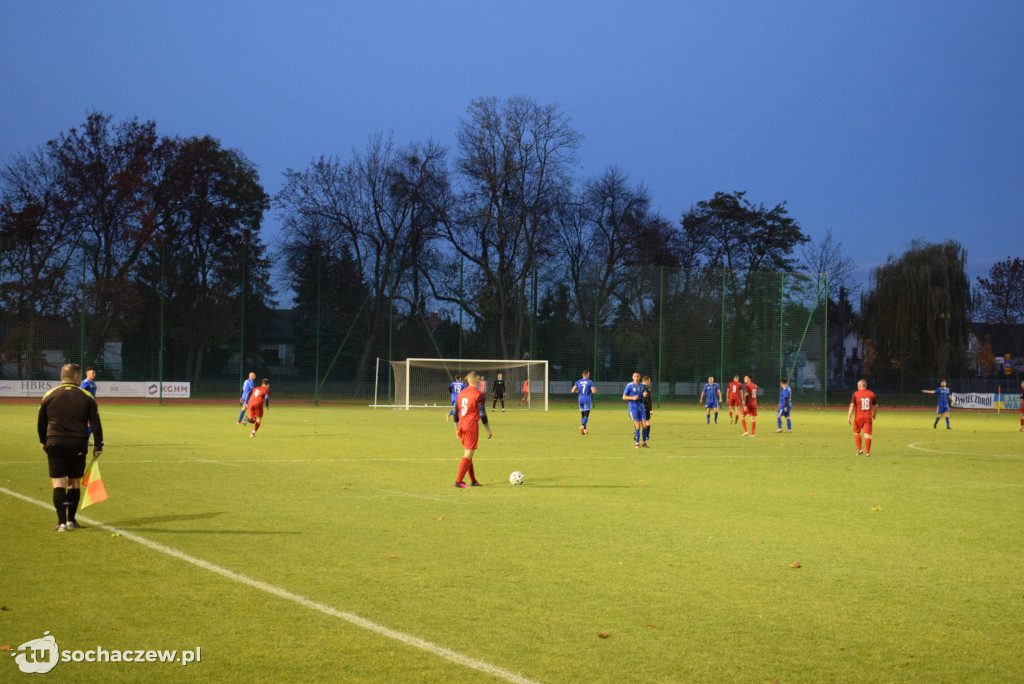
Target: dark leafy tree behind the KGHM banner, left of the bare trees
211 212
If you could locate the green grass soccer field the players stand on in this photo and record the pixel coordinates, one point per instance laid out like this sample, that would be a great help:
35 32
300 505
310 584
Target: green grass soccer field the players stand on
333 547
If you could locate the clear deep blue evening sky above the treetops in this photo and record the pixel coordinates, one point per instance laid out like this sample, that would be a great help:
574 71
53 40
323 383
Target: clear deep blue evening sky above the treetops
883 121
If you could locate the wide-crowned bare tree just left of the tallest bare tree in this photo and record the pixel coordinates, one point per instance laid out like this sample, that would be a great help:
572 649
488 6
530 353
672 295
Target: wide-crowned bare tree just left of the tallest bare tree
383 206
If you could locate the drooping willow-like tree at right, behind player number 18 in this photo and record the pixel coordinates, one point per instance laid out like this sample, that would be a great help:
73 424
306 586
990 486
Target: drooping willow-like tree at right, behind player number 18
918 312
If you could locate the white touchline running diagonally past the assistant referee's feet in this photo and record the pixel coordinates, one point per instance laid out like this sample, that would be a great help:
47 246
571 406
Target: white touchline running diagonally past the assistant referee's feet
407 639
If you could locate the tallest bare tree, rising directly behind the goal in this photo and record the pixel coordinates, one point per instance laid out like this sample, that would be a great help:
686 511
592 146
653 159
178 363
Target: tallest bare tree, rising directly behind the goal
516 162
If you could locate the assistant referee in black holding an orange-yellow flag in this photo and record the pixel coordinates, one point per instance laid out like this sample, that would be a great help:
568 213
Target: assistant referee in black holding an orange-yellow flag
66 414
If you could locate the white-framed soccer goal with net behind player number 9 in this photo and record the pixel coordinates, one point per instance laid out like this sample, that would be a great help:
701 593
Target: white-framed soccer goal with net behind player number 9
424 382
